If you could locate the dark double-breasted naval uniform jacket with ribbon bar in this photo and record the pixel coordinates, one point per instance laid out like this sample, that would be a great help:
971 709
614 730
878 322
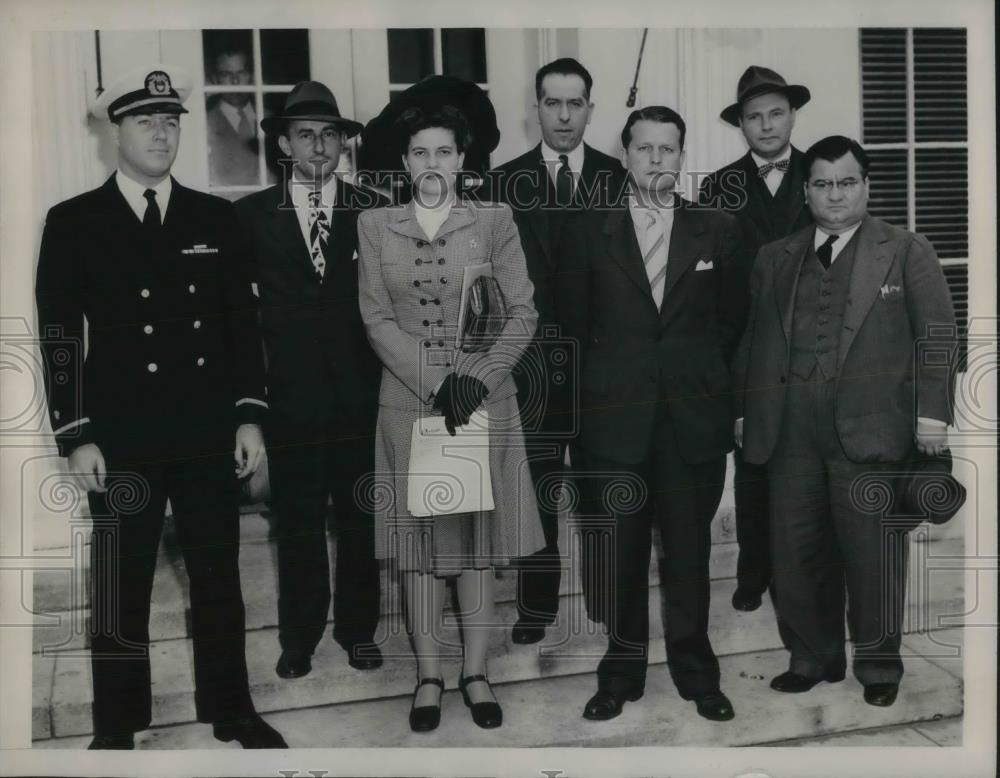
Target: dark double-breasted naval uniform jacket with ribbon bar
173 362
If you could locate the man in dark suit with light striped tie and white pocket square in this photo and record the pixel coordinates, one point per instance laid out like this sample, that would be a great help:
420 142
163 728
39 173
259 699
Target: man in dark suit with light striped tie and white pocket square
648 289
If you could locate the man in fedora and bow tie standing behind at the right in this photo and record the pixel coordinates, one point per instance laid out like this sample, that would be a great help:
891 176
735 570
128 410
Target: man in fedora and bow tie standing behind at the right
763 188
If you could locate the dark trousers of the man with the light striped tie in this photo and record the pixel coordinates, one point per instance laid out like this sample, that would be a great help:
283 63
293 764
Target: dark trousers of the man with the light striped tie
681 499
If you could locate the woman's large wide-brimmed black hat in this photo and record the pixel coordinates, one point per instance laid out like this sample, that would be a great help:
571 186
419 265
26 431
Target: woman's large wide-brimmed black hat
379 141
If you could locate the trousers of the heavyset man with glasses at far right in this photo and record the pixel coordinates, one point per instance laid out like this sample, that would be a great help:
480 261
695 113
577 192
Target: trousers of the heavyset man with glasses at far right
821 542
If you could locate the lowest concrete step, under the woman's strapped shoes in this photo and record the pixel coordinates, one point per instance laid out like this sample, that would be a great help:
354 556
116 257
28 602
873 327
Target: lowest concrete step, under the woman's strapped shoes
546 712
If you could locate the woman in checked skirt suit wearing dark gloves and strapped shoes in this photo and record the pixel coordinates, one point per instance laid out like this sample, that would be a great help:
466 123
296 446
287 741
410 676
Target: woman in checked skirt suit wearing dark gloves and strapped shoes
410 282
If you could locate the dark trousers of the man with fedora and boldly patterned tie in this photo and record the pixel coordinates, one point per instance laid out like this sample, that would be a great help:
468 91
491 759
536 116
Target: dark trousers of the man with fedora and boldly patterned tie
309 467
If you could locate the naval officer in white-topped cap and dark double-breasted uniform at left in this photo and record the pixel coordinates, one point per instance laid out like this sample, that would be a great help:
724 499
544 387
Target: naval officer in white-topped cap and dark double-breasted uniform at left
171 389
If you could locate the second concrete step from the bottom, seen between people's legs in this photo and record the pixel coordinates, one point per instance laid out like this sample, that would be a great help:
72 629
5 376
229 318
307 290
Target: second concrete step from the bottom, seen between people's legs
573 645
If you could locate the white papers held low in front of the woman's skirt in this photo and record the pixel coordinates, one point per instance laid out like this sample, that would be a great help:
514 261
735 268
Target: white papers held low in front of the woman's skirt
449 474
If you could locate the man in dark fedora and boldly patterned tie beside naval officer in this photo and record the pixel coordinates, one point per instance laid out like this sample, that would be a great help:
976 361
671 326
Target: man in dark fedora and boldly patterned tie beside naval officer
323 380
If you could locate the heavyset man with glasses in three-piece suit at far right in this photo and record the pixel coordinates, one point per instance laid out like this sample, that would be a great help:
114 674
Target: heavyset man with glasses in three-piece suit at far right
832 393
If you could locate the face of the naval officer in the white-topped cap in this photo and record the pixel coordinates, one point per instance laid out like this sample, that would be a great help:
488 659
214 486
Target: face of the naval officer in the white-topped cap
147 145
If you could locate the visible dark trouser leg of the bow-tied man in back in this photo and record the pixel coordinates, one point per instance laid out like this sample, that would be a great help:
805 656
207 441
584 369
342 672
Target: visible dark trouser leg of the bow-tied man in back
753 565
